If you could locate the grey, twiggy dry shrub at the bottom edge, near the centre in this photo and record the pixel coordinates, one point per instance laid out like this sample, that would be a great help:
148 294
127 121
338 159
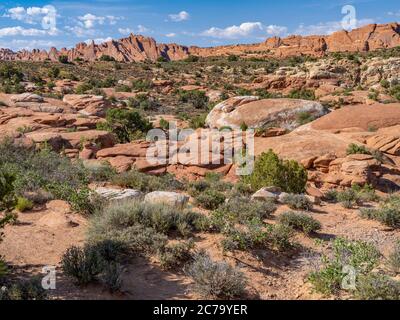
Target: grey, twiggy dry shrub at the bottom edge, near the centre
215 279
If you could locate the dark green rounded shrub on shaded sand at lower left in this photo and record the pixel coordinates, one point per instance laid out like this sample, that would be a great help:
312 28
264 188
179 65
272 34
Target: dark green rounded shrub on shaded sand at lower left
82 264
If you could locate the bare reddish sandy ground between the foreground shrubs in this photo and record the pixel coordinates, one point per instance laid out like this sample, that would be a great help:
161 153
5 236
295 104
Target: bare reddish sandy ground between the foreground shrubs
42 236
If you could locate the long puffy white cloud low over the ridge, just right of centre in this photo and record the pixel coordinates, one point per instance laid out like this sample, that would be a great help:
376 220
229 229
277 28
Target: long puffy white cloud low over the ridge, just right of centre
246 29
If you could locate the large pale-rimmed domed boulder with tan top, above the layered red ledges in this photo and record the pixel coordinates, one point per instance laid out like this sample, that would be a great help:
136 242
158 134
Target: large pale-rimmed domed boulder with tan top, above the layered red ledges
258 113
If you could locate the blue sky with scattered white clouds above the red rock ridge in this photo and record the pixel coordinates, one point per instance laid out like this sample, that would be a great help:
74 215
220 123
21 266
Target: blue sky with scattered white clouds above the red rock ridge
42 24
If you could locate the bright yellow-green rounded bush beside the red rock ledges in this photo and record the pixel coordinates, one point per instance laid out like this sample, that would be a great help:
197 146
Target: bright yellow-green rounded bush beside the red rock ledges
269 170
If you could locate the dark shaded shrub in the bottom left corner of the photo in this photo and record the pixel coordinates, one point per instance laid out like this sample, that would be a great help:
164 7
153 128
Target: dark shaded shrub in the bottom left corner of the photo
24 290
